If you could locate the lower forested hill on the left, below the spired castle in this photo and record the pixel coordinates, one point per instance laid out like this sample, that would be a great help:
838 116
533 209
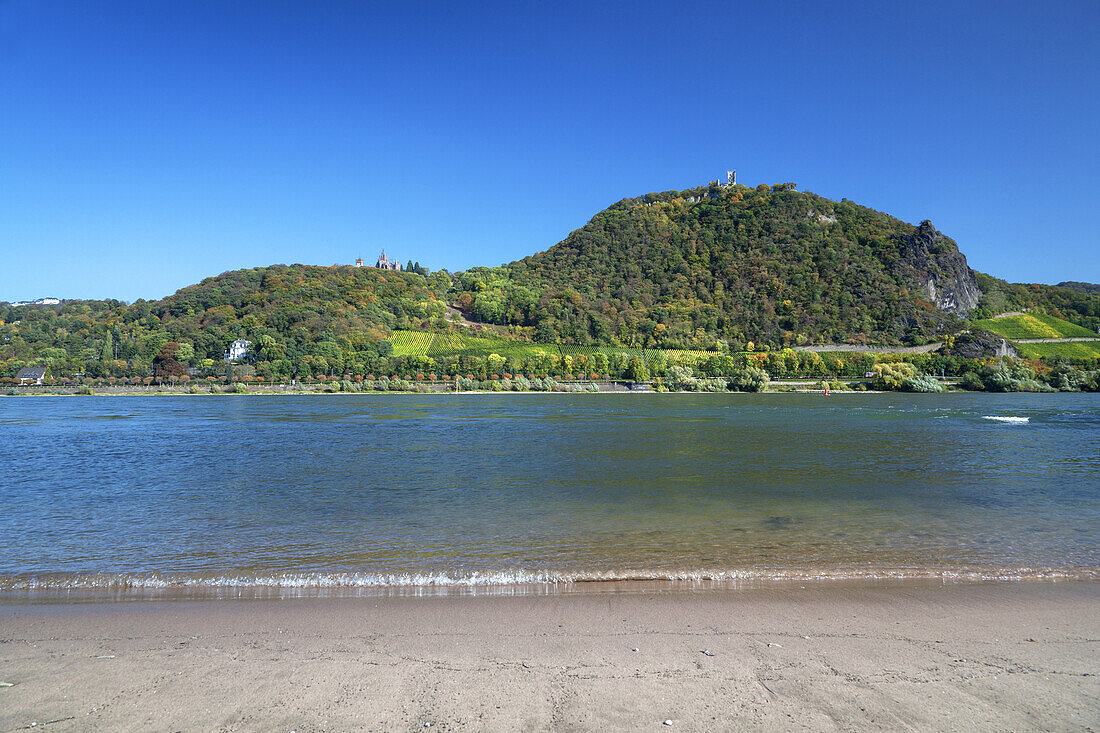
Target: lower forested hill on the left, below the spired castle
300 319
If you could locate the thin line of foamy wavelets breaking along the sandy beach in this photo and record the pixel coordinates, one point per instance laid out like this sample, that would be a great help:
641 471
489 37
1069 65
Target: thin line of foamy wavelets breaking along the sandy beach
157 587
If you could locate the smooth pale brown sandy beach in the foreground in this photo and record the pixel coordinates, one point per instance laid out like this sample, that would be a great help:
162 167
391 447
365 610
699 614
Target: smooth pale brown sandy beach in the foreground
1003 657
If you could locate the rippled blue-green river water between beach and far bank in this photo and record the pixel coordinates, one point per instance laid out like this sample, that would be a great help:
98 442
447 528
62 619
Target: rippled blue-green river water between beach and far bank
476 490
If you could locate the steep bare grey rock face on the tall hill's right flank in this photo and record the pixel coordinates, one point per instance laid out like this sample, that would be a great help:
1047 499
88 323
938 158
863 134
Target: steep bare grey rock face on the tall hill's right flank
932 265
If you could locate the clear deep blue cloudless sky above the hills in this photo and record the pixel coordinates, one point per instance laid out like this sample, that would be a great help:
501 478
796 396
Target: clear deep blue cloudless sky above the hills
145 146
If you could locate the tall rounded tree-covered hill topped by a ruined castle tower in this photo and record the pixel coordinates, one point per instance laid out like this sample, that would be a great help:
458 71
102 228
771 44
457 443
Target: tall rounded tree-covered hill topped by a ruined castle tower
767 265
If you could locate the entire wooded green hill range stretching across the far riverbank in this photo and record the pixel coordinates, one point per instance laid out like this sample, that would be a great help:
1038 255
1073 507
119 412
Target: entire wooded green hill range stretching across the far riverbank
665 278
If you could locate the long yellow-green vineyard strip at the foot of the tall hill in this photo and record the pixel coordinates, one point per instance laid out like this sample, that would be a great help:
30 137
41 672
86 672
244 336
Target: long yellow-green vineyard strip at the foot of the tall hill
424 344
